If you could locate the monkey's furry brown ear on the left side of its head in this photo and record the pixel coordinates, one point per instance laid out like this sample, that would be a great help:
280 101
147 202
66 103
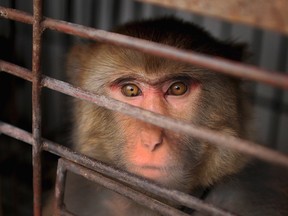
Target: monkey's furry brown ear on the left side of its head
76 63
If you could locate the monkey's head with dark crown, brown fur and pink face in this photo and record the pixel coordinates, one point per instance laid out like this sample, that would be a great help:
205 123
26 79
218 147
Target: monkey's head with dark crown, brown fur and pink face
178 90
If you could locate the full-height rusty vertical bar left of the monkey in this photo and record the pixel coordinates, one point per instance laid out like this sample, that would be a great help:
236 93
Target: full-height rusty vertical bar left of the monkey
36 106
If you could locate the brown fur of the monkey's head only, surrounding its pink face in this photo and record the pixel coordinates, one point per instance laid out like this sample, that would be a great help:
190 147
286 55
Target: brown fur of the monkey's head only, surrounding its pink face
221 107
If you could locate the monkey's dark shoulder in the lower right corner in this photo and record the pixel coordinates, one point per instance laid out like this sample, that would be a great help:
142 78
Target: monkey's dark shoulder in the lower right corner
260 189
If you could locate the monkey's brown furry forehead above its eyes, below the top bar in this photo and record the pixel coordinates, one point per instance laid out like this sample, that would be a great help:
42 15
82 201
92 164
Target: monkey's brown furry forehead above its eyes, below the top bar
122 62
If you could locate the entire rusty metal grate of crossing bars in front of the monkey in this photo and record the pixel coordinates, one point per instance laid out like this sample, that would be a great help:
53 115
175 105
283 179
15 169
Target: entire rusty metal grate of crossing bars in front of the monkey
71 160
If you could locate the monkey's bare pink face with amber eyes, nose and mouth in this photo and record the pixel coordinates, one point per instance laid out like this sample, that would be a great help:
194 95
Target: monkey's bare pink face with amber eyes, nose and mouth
151 151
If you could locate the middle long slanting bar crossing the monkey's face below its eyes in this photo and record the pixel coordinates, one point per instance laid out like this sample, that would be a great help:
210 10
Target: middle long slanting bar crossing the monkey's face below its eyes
198 132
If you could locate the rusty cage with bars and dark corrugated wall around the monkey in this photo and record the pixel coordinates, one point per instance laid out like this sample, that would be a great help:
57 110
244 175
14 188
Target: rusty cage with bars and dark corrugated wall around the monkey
34 43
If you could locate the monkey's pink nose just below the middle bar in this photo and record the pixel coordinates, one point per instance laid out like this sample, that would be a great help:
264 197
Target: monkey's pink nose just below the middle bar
152 137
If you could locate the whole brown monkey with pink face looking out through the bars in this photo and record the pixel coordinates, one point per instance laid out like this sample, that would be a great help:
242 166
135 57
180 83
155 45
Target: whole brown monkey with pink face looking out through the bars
175 89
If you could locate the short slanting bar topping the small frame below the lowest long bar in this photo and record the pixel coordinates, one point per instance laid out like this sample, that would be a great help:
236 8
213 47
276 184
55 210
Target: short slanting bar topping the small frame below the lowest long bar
120 188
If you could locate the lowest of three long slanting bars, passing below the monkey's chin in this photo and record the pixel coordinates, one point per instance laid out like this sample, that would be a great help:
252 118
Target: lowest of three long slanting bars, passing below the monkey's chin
62 151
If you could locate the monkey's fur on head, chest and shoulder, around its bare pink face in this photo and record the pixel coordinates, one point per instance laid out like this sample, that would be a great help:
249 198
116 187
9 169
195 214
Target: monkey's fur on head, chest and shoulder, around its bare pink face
256 190
